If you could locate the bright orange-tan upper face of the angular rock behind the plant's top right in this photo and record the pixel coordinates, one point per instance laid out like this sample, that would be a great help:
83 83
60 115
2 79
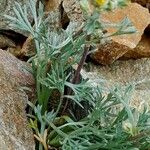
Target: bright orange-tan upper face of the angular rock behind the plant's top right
117 15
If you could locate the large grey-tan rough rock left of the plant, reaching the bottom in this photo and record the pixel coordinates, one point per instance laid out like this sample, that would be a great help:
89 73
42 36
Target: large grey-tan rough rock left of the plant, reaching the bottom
14 131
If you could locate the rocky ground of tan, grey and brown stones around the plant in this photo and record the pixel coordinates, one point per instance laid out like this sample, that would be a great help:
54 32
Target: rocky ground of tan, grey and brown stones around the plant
123 60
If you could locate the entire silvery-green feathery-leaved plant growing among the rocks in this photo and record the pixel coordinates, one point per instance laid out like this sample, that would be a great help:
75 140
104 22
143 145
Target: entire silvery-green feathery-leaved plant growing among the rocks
56 52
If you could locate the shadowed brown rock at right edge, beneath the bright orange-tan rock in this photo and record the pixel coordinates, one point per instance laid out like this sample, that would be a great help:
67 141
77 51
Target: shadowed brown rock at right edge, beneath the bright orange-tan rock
142 50
